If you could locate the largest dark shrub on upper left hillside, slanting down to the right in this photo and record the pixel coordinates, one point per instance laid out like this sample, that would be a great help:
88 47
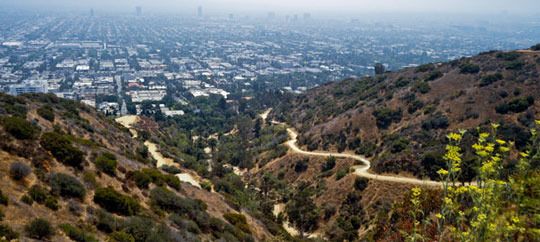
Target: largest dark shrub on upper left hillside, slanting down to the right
61 149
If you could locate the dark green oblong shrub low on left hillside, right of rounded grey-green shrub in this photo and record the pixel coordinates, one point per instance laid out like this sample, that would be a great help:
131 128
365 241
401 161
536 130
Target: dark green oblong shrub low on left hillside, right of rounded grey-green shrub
115 202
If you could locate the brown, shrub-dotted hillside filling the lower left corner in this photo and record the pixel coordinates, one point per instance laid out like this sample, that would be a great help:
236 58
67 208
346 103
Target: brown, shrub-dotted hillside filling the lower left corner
69 172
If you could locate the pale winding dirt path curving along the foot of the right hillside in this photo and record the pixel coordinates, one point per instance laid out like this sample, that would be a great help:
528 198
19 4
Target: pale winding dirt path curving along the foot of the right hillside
358 170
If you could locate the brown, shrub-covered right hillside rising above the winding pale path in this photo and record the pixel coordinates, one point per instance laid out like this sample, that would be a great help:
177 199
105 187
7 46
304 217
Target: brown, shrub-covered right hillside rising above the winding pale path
400 119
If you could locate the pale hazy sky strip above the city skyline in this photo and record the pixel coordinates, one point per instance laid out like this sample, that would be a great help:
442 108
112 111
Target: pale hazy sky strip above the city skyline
285 6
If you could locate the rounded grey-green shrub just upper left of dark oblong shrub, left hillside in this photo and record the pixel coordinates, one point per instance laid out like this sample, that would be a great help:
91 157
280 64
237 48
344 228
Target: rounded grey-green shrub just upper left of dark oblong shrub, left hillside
66 186
